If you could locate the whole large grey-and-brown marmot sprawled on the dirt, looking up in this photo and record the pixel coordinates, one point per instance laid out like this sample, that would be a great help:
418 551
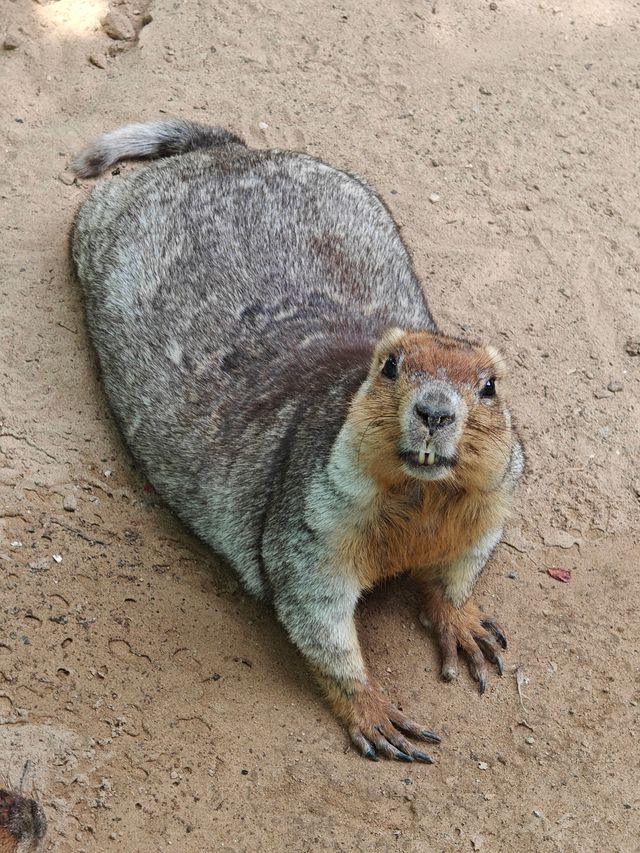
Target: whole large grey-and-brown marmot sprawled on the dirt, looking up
270 358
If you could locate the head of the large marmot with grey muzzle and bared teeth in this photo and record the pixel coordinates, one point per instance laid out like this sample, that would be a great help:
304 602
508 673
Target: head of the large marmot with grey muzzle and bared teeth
433 408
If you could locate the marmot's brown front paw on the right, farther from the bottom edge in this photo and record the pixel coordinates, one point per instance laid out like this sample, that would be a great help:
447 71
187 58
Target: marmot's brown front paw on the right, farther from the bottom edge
481 638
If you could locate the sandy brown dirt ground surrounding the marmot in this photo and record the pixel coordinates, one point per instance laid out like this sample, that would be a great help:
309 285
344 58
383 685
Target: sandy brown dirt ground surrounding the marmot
159 706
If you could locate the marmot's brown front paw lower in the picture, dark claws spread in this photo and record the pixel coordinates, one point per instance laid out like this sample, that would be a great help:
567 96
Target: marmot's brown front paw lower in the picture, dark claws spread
376 727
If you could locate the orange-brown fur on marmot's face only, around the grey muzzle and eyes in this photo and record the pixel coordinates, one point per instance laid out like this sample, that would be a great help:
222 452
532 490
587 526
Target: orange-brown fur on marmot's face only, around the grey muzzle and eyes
485 439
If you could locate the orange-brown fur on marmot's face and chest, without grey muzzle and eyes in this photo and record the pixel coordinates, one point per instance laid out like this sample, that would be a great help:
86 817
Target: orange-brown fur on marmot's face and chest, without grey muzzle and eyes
415 523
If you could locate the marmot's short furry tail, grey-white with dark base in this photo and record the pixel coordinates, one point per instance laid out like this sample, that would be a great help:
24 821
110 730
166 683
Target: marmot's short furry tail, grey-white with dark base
147 141
